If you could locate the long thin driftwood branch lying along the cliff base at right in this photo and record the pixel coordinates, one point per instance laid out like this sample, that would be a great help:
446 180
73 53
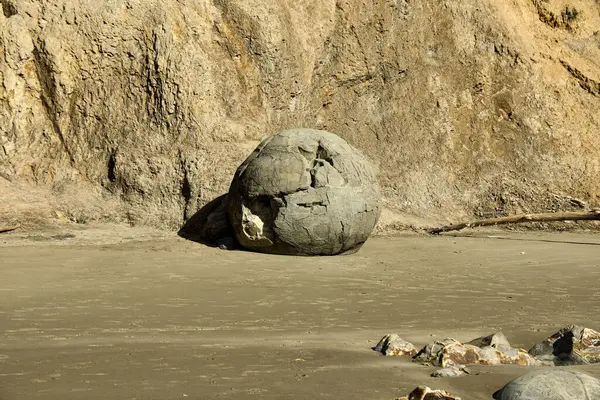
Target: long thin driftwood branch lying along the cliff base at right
515 219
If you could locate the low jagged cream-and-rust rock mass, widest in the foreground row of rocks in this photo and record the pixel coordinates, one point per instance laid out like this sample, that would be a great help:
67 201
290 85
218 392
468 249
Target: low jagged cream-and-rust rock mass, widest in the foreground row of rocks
450 352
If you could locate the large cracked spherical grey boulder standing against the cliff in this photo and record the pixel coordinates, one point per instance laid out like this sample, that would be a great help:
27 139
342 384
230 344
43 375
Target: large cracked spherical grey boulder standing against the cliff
304 192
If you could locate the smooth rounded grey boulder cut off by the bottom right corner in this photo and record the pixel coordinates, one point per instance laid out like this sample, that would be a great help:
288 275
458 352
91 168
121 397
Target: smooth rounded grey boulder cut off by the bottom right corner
555 384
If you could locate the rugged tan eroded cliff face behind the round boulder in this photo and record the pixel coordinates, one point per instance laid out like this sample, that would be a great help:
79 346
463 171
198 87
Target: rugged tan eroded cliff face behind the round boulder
141 110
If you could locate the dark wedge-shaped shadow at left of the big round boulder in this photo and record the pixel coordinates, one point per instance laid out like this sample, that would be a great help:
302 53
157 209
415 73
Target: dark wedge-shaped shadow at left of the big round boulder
210 226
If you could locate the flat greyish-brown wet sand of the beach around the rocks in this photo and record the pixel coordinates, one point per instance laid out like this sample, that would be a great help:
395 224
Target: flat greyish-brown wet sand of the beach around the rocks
171 319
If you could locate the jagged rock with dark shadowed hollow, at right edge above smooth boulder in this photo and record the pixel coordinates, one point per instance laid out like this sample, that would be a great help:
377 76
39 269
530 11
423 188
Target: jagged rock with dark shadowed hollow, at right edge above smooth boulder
570 345
